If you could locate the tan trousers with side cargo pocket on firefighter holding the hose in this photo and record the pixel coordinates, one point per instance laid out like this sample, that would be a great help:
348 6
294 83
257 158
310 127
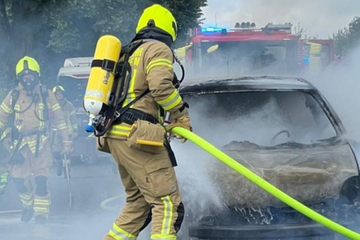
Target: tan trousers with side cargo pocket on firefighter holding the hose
152 193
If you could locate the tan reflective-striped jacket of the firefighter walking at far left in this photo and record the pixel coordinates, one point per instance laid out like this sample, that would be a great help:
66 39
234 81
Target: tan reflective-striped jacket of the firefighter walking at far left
30 117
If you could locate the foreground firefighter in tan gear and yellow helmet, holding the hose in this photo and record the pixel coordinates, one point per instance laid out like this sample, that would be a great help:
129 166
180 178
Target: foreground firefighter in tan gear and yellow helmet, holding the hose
152 192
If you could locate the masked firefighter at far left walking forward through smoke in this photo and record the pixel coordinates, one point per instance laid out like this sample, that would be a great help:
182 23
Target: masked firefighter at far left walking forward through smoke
25 115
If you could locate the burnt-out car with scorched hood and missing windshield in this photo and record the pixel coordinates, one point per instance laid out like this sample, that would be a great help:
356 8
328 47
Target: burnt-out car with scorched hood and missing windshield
284 130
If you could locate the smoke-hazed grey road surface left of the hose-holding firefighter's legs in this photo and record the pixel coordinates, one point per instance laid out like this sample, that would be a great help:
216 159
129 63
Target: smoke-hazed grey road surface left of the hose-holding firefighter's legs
91 185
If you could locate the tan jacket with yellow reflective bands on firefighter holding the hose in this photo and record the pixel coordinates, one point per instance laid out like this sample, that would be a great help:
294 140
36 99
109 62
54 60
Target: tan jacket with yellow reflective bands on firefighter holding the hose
152 68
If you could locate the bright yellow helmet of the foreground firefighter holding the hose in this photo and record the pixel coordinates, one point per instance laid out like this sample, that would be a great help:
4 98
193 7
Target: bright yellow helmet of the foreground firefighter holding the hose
159 17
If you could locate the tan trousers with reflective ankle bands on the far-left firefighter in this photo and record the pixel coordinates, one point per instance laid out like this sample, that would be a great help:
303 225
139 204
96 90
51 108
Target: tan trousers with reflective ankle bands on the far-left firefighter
39 167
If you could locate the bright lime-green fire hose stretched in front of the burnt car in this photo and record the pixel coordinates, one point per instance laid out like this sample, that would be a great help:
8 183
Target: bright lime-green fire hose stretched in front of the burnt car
265 185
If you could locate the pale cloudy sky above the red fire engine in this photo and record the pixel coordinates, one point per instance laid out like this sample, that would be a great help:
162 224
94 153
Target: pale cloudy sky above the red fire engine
319 18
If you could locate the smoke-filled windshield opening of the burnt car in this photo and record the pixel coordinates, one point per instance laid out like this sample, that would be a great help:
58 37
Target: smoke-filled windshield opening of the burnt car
265 118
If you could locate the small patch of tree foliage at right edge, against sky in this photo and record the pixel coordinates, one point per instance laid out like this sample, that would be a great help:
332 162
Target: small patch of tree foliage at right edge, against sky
348 38
